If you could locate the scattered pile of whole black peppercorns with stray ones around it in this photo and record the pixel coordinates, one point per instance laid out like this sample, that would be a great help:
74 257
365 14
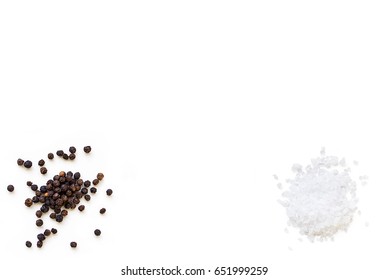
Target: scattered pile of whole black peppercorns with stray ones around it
61 194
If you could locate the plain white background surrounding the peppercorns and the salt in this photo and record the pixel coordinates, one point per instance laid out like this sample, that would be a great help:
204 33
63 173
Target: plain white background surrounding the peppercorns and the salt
190 108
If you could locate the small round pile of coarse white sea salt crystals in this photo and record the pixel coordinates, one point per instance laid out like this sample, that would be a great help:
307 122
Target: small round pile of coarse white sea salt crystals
321 199
